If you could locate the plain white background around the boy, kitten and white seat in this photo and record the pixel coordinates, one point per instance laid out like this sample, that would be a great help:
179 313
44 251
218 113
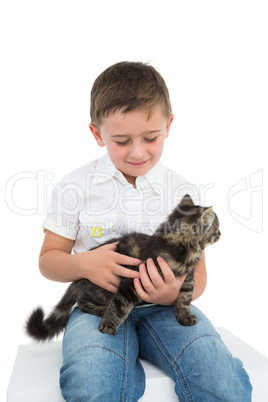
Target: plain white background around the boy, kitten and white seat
213 56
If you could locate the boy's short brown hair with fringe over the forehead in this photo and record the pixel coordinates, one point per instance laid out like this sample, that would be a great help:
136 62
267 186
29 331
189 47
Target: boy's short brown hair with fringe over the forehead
128 86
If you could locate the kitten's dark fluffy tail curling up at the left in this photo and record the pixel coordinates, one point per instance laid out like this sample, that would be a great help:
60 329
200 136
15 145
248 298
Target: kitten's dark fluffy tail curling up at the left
45 329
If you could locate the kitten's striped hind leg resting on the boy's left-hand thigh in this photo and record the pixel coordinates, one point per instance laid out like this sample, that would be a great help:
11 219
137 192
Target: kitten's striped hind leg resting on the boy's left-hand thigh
119 308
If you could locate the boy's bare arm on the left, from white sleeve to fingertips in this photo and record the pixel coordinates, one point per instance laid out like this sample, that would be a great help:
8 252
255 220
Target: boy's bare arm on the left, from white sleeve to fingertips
102 266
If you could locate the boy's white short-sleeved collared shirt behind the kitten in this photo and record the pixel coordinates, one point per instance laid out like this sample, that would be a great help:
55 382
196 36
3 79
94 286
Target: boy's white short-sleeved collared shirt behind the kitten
96 203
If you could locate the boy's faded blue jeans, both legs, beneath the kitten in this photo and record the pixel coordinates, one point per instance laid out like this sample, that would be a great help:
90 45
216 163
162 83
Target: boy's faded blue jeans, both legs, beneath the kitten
101 367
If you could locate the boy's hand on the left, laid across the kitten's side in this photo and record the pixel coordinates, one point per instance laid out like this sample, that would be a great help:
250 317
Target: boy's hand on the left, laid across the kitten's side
104 266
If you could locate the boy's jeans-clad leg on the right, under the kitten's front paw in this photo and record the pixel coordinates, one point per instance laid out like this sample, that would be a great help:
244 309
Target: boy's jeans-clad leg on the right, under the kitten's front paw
195 357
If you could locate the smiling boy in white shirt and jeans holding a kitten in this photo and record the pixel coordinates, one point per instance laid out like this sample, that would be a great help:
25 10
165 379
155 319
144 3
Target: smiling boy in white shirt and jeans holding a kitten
128 189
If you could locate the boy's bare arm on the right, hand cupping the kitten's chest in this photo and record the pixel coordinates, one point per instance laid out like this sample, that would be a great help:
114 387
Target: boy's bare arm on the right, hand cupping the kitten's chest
155 289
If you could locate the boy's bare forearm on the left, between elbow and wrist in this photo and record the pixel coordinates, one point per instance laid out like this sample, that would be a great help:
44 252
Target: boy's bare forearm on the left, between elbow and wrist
57 265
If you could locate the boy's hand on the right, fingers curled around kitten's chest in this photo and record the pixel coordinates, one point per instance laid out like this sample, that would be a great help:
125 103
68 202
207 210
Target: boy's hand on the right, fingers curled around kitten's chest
152 288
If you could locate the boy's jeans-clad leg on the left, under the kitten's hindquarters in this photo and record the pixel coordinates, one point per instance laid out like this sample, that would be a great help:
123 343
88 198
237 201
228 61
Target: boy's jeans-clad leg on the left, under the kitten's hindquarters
100 367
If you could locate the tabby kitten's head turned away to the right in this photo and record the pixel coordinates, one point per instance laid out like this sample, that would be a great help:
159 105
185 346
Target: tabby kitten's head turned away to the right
193 222
